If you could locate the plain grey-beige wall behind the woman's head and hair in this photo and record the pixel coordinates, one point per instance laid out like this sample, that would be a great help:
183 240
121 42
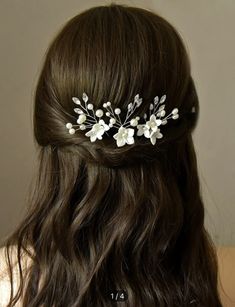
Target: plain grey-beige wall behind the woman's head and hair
207 28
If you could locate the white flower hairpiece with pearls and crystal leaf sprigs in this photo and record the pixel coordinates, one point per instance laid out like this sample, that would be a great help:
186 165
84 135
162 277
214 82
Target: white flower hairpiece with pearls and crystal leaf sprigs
88 118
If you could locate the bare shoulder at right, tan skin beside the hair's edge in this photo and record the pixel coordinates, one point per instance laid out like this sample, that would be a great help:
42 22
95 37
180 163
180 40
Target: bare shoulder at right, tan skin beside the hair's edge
226 278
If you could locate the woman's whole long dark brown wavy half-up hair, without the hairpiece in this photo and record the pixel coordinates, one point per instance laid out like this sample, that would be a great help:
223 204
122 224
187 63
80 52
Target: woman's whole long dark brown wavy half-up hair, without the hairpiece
102 218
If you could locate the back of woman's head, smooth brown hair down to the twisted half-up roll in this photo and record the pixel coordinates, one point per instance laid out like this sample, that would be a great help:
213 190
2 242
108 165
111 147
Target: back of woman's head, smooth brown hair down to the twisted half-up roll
112 53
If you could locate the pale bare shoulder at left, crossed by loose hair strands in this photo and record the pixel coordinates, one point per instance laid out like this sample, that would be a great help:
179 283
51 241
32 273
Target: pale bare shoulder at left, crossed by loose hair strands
5 285
